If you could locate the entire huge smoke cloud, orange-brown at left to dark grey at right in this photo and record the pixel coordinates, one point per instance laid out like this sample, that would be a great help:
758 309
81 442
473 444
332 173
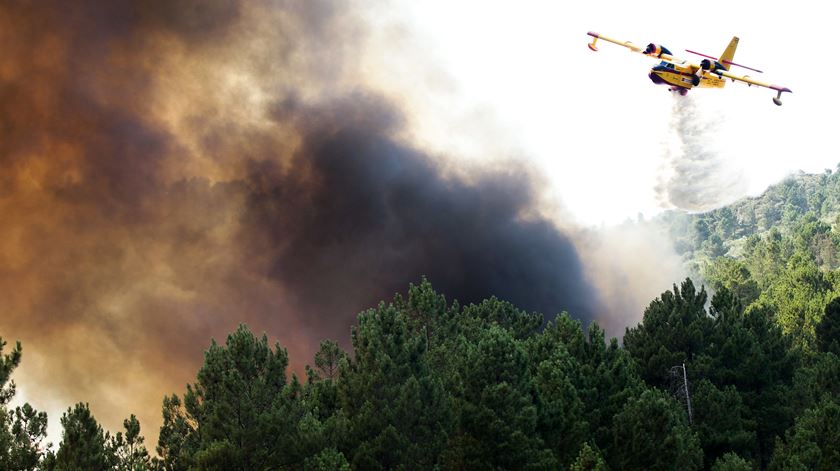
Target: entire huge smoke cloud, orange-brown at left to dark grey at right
171 169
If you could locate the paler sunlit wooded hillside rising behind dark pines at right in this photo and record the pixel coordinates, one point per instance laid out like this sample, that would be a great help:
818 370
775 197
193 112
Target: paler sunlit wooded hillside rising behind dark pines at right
779 251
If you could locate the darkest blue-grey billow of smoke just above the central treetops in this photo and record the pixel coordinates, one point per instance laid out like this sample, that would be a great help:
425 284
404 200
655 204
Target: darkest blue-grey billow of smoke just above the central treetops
356 216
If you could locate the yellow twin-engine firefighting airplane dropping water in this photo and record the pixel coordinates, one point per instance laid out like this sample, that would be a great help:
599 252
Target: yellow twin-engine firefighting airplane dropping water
682 75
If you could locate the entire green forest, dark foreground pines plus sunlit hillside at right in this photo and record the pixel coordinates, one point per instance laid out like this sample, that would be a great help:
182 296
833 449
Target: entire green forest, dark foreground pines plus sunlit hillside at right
432 384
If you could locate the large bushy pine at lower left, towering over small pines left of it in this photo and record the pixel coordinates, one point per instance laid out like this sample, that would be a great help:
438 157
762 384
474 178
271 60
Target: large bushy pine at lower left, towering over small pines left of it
241 414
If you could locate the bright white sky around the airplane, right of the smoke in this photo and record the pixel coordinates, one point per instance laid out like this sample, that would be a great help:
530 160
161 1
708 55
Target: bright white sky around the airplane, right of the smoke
522 70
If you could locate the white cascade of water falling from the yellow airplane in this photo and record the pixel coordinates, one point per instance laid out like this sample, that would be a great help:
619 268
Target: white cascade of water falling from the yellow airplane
698 174
